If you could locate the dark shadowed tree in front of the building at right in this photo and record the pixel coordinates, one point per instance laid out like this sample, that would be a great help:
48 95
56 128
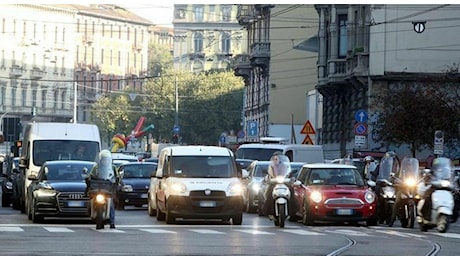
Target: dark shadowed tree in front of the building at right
413 110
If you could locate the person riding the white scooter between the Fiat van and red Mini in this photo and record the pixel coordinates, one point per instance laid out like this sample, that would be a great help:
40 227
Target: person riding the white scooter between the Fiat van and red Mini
279 165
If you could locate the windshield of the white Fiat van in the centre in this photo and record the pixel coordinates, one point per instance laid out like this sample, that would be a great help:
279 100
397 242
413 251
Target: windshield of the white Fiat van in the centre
203 167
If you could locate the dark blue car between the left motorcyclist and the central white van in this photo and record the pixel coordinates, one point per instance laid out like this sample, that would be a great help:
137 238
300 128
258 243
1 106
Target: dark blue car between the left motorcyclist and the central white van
134 185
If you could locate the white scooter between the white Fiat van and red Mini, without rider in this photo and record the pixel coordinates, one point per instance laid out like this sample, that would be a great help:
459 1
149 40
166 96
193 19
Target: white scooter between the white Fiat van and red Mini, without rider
281 196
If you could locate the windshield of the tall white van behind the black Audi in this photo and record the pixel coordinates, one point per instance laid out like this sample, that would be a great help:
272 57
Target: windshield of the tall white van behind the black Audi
50 150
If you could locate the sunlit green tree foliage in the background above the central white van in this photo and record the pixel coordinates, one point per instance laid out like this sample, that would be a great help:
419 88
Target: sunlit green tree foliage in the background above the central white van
208 104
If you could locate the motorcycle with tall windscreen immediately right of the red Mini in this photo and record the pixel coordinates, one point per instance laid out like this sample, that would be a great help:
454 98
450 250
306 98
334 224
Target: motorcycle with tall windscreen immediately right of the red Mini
386 192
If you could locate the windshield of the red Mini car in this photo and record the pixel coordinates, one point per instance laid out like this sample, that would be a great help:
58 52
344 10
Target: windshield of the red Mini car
335 176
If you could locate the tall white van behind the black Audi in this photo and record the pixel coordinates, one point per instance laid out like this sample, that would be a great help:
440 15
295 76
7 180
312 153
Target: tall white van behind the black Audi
46 141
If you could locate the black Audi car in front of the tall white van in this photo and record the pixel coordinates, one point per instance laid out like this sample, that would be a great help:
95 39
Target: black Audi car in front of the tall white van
58 190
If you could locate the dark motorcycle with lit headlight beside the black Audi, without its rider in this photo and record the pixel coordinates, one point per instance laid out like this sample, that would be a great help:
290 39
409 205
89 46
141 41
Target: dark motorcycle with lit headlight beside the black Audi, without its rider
100 197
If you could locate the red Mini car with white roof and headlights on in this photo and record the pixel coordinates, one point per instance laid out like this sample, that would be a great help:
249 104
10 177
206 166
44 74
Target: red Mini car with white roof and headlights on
334 192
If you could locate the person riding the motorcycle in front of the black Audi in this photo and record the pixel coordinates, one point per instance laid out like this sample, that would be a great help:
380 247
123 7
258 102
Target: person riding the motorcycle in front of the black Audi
105 170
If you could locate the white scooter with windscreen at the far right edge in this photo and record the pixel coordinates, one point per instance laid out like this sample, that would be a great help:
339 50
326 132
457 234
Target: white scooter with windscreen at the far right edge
442 198
